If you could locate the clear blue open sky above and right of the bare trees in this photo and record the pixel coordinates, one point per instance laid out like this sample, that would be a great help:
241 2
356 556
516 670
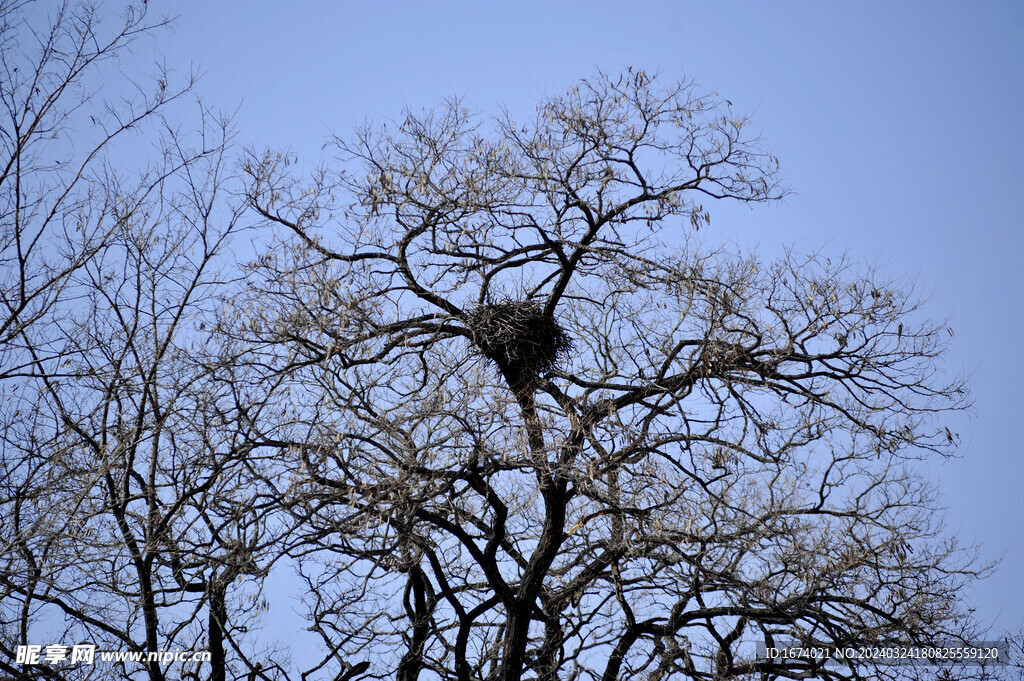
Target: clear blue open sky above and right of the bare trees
898 125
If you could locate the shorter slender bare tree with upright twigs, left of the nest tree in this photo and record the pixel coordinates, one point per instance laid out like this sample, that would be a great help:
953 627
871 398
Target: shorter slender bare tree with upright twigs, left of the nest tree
132 515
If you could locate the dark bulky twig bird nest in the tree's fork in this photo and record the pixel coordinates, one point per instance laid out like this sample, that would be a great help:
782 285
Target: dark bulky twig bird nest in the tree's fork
520 338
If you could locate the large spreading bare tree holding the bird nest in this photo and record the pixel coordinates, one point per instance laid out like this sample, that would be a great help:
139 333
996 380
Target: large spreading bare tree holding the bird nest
536 429
